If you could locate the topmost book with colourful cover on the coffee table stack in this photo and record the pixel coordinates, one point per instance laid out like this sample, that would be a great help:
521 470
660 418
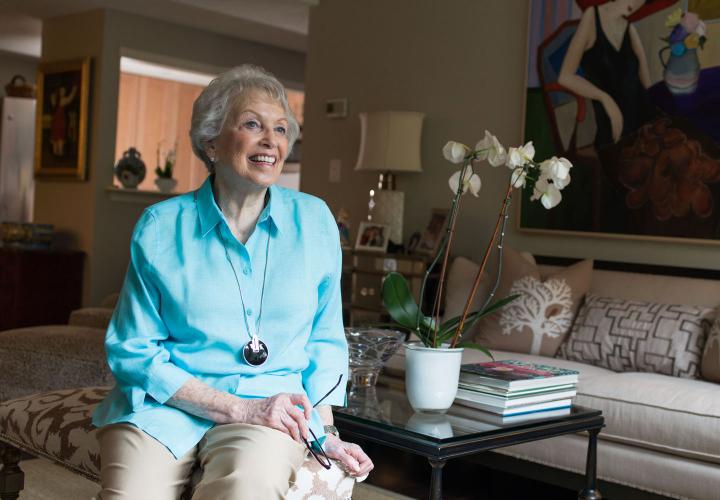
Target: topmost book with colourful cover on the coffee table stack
516 374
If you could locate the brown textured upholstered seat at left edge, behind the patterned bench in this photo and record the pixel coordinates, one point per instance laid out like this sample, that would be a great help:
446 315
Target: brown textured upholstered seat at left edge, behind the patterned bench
43 358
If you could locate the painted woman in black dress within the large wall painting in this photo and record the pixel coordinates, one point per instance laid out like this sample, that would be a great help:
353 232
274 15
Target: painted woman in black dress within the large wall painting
655 170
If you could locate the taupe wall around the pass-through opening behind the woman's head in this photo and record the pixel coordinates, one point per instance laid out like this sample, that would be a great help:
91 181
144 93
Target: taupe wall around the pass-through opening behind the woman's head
103 227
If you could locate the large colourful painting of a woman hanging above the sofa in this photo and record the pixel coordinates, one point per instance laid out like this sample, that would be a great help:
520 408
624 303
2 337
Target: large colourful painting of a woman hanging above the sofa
629 92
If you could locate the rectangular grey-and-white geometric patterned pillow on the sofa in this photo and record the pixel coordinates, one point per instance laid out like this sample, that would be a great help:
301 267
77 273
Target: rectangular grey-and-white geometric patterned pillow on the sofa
625 335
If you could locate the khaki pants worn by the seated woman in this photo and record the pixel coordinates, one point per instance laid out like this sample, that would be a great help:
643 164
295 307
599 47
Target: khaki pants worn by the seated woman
239 461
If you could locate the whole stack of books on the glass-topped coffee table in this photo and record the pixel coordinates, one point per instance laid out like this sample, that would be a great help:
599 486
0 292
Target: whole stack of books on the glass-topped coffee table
514 390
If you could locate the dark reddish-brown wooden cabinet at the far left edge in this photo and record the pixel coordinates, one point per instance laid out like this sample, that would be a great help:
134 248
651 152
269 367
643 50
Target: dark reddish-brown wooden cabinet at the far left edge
39 287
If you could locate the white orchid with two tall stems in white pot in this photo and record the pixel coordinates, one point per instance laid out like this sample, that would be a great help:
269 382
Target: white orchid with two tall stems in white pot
433 364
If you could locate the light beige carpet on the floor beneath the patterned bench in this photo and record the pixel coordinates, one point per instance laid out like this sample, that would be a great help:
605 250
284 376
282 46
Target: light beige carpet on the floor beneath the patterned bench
47 481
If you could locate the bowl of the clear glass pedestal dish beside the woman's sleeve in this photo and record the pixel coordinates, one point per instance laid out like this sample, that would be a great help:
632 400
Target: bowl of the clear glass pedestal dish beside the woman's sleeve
369 349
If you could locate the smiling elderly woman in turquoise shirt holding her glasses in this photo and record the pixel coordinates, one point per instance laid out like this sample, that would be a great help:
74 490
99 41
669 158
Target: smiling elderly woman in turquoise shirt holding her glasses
227 342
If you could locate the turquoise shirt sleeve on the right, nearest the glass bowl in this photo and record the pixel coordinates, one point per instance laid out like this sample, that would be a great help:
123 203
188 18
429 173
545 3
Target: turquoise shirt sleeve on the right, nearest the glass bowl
327 348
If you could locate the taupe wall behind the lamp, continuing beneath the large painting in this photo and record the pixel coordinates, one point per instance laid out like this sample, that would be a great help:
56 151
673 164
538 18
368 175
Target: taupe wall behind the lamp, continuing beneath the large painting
462 62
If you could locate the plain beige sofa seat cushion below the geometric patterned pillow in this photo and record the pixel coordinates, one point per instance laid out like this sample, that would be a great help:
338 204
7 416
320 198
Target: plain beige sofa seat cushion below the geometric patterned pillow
670 414
